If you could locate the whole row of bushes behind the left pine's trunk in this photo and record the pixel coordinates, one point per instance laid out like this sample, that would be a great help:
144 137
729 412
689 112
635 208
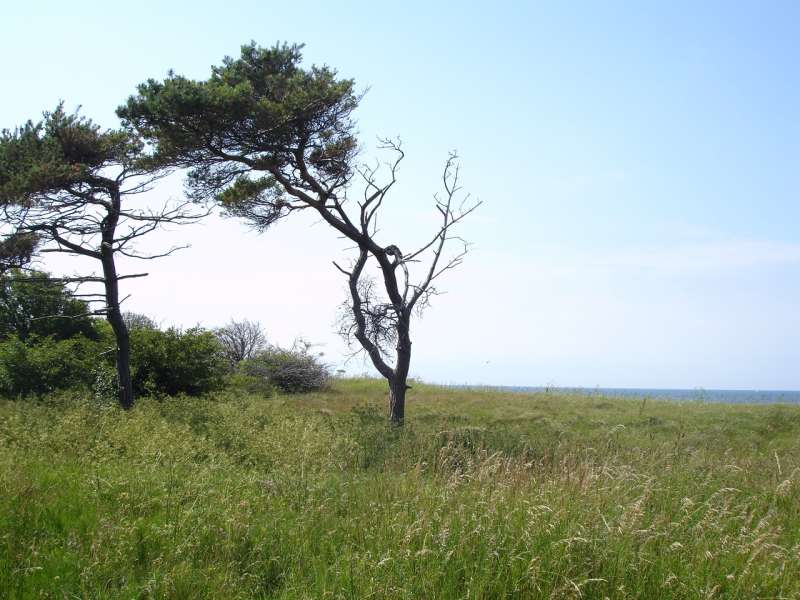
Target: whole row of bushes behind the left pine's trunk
49 342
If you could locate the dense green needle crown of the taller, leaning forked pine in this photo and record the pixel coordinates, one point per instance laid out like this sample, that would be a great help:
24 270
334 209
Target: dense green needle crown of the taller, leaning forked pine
258 123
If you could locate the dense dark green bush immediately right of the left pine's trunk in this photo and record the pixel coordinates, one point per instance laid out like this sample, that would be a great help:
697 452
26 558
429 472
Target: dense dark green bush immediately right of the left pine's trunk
175 362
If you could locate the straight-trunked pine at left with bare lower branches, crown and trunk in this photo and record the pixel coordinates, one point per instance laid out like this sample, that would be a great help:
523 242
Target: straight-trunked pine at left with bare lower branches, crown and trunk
71 186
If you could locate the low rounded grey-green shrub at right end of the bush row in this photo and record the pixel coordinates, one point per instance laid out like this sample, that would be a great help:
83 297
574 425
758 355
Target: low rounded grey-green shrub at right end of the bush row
290 371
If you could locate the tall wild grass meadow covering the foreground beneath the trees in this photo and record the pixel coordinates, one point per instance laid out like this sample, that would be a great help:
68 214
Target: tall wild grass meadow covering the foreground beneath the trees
480 495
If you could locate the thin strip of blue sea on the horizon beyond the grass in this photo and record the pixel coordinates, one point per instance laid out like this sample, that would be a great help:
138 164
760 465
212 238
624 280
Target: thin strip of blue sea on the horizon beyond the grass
697 395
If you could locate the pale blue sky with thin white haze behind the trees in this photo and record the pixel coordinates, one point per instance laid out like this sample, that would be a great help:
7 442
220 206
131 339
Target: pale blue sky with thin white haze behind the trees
638 164
